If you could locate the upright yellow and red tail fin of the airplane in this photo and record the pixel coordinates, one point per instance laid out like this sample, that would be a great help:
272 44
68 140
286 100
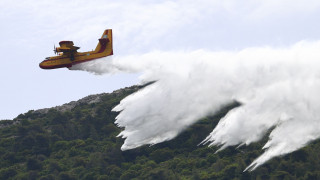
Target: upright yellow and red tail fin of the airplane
105 43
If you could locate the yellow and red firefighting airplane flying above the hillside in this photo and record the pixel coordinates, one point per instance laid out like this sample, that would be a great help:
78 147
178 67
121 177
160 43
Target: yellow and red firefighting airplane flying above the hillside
68 55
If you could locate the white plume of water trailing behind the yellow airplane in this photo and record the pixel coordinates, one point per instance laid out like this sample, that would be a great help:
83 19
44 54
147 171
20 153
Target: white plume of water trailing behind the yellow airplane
278 88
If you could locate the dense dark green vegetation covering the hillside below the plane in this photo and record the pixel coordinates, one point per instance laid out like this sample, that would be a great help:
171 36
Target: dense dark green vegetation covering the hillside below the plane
82 144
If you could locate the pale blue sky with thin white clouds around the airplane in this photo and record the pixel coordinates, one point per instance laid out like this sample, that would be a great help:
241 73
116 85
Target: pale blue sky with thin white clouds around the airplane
30 28
